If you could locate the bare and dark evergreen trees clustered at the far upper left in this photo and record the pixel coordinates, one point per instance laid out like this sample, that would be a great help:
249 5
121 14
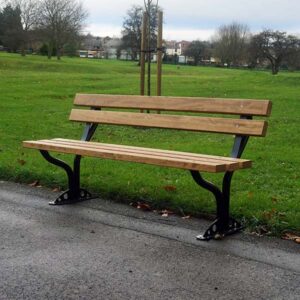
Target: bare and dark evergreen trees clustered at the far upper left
54 24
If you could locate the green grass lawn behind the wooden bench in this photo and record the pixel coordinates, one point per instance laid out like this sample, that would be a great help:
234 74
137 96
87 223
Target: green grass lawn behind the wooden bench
36 97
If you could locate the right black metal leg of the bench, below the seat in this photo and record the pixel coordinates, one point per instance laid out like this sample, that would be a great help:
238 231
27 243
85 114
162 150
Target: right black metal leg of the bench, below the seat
224 224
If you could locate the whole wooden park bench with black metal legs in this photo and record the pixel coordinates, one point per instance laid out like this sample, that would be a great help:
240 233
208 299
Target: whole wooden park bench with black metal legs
235 117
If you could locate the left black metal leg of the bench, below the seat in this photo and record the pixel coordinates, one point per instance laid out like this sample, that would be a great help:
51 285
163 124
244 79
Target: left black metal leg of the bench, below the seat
74 193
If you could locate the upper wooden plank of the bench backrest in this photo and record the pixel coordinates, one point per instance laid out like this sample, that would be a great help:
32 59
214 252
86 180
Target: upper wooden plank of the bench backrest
188 104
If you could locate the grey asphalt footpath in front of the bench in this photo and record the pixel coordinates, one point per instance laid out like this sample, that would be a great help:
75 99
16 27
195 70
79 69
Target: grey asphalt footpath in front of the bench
103 250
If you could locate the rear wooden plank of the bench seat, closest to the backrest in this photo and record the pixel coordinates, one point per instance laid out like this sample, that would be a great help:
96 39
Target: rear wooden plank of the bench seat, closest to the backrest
242 163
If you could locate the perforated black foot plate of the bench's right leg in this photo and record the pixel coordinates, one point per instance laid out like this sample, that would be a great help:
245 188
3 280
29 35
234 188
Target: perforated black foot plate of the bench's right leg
217 232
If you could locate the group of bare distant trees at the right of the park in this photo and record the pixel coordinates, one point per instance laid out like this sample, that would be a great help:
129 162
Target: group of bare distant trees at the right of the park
233 46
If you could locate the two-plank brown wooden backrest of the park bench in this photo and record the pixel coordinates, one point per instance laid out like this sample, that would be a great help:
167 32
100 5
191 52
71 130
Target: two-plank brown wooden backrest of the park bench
244 125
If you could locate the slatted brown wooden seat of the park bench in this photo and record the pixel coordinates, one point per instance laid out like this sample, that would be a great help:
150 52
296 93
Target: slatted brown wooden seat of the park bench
182 160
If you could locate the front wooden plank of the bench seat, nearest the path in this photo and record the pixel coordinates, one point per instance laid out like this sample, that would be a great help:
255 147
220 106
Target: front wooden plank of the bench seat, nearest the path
124 156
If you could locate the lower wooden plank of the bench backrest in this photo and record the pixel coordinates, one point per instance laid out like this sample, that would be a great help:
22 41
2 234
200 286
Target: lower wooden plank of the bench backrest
191 123
